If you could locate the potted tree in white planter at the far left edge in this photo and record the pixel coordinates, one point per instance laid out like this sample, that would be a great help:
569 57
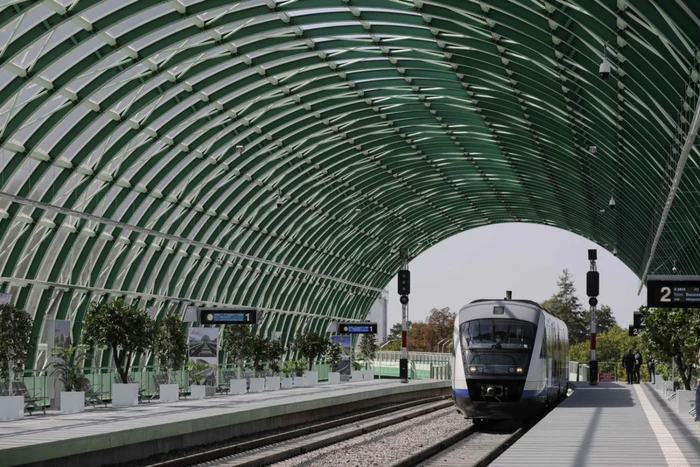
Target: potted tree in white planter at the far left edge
15 332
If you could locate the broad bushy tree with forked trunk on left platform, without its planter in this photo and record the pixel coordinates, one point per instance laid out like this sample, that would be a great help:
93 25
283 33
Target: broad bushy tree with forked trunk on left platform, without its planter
124 328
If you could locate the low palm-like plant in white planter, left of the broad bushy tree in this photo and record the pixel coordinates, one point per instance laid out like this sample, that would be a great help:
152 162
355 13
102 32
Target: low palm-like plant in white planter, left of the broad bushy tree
69 367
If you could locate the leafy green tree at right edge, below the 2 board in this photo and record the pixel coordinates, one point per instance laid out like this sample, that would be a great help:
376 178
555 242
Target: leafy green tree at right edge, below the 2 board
673 334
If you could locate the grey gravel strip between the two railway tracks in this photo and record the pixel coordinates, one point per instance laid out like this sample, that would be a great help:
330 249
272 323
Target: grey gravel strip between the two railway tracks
386 446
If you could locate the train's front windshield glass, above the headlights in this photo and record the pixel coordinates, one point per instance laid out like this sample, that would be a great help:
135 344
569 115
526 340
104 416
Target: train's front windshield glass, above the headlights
498 333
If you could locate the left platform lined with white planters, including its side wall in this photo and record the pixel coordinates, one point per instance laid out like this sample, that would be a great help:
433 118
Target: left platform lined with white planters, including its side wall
109 435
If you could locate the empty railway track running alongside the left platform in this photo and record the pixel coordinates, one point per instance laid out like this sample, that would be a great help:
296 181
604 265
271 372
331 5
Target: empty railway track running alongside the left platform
278 447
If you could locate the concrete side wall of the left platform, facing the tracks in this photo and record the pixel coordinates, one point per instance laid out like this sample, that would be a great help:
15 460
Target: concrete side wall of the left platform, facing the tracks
132 444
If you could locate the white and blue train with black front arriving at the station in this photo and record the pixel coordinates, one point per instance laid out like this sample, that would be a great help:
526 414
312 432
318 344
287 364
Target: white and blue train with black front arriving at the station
511 359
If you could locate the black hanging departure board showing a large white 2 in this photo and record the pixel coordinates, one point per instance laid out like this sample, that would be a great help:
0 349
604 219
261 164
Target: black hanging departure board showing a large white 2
673 291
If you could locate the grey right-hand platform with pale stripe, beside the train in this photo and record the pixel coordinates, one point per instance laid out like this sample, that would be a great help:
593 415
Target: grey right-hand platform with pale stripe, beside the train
609 424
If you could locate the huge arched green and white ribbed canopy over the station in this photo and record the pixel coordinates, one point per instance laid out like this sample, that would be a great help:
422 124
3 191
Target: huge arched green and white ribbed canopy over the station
278 153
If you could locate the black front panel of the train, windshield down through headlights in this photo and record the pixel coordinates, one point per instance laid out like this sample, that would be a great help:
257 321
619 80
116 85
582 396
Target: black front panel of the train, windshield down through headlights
497 346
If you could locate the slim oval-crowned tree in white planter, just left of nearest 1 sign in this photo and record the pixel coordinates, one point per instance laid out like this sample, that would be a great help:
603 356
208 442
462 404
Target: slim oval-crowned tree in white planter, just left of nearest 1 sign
171 348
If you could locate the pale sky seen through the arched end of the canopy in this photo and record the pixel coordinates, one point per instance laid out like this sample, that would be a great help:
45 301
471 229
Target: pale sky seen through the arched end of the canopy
525 258
